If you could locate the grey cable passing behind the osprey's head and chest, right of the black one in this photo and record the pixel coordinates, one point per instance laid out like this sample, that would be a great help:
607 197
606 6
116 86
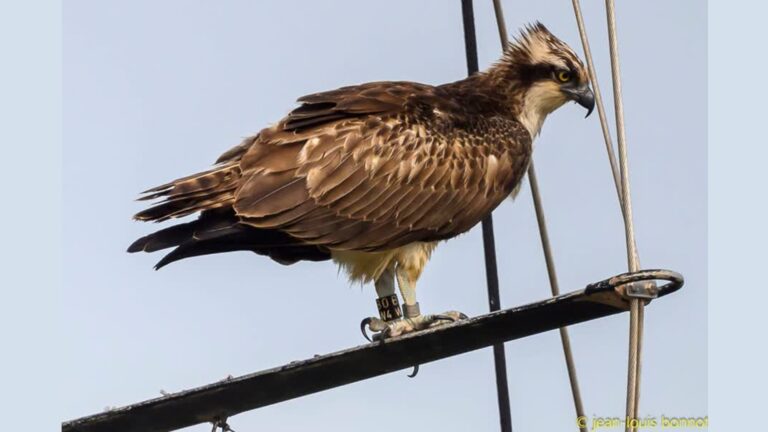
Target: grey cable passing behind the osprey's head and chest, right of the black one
546 246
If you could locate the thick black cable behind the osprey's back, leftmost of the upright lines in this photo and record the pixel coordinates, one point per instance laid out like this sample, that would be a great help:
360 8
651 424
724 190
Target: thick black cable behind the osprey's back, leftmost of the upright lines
489 246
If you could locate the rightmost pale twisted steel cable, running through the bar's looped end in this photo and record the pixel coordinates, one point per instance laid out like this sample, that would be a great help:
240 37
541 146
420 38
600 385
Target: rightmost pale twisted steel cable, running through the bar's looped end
636 305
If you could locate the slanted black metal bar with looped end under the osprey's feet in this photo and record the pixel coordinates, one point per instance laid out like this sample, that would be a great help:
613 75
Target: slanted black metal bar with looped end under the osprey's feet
226 398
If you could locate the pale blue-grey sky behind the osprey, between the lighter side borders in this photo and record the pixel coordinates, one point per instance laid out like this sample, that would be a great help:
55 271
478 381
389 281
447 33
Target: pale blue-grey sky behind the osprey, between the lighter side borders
156 90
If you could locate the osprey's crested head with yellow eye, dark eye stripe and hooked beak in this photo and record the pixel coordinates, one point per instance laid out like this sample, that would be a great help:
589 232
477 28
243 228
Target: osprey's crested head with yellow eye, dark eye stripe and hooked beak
542 73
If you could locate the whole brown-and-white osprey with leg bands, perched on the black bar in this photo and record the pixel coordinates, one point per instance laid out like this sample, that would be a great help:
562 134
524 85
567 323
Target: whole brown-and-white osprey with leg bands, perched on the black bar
373 176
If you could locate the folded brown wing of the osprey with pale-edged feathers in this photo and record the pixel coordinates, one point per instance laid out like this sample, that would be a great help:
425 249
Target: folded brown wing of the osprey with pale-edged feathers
377 166
